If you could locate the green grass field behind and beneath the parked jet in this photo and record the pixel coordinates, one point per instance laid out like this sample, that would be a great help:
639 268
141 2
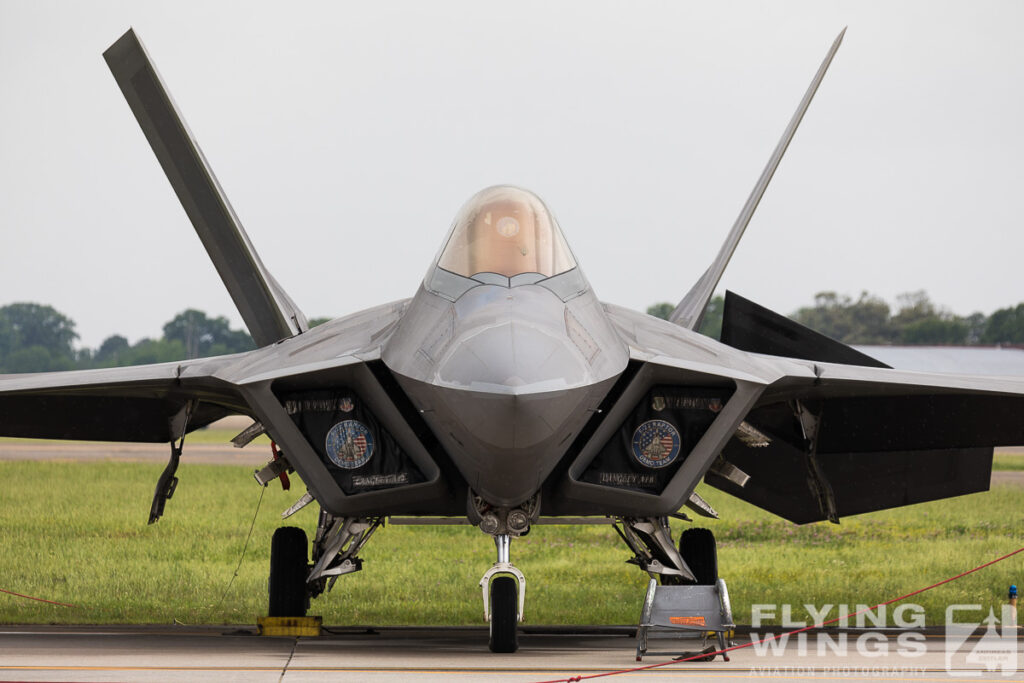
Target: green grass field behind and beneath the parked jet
76 533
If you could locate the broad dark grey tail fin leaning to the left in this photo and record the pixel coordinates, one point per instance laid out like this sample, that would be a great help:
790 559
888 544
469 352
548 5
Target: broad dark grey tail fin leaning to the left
268 312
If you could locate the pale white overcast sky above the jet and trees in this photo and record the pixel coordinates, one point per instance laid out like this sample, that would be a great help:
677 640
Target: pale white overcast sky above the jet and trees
348 136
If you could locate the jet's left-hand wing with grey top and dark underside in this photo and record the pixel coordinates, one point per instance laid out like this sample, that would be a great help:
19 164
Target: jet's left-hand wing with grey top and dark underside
149 403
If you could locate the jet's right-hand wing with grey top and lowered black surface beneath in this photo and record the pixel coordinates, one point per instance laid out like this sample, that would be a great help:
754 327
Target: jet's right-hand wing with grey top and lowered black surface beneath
814 440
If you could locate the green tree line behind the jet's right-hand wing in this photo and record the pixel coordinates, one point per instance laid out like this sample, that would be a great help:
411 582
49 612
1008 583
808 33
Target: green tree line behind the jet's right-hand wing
870 320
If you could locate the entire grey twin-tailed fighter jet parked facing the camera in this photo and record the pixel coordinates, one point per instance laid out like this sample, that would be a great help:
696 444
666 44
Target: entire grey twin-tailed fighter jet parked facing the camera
505 395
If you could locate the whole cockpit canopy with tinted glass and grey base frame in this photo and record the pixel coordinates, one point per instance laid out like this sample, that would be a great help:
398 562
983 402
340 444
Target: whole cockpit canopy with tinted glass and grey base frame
504 236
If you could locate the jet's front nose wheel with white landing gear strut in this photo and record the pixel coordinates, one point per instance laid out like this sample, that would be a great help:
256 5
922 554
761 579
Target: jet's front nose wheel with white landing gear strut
504 596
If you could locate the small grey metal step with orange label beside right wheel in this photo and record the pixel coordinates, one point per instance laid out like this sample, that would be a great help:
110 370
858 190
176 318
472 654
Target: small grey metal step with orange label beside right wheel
687 614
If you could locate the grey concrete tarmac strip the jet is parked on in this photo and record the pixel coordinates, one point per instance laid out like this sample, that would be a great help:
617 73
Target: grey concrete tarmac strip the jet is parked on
430 656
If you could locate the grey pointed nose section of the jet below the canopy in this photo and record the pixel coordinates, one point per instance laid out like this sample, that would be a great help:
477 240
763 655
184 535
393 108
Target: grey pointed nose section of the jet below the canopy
505 377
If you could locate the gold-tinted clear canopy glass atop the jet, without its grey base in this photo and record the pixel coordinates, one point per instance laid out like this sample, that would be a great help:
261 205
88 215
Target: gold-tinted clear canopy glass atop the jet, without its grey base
509 232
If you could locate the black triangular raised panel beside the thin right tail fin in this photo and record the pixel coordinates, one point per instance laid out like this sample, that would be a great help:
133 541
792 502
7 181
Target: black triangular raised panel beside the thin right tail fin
752 328
